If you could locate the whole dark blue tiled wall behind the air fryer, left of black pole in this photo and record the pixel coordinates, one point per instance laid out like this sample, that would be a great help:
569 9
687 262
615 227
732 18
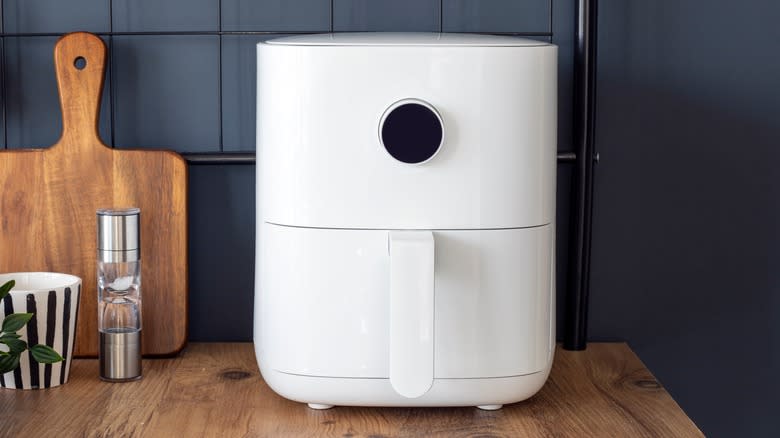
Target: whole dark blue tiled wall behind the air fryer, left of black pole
175 87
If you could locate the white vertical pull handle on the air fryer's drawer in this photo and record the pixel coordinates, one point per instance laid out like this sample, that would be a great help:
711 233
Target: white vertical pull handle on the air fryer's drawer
411 311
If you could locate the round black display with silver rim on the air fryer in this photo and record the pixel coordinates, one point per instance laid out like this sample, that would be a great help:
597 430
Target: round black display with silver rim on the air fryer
411 133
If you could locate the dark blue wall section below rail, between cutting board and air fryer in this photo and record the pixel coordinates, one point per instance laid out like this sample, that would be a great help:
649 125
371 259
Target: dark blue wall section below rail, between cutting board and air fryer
222 242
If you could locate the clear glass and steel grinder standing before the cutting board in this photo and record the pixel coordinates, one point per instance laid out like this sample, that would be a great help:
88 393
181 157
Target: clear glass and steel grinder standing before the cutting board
119 293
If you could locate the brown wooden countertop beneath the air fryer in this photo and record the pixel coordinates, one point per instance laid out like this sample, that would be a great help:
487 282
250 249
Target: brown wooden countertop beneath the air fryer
217 390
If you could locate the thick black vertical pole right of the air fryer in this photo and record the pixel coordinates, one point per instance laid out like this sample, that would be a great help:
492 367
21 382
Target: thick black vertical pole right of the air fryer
576 305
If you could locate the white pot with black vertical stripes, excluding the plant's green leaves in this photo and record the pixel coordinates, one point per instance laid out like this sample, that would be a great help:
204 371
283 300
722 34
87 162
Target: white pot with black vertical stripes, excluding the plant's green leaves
54 300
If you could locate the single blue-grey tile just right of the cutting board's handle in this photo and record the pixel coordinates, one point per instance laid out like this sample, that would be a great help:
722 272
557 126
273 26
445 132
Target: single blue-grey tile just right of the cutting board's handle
167 92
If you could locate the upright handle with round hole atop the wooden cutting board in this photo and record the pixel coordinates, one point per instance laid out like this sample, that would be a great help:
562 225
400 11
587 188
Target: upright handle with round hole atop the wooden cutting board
80 62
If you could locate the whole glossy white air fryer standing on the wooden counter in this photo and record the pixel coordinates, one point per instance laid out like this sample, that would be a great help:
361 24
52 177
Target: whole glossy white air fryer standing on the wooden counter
406 218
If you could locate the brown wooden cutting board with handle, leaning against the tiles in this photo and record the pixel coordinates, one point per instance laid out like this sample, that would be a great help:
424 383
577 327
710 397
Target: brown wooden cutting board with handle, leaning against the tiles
48 200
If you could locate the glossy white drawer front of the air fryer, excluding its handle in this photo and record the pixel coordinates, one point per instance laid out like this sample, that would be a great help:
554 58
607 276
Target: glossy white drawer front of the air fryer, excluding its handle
324 297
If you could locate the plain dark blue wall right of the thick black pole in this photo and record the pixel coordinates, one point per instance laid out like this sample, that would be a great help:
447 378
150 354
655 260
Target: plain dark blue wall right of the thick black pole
686 222
